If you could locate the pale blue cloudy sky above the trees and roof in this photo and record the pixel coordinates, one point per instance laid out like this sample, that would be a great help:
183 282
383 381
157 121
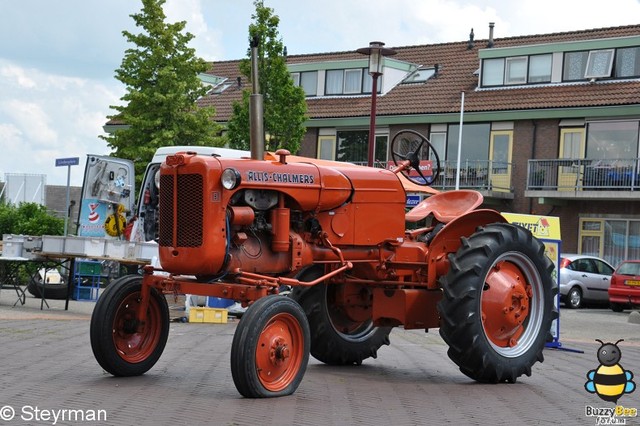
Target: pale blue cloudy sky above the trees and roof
58 57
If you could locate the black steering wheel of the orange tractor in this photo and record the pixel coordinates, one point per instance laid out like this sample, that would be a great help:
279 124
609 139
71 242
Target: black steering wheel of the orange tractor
408 148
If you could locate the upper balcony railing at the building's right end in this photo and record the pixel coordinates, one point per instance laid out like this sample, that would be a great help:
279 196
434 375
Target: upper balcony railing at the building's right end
583 175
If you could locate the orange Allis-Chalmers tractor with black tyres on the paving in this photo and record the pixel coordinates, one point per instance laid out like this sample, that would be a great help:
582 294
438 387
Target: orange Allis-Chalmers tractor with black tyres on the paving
337 235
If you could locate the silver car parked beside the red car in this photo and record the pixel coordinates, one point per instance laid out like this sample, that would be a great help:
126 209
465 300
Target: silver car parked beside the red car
583 279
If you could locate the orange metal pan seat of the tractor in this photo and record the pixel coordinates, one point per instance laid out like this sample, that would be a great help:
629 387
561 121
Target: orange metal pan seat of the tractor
445 206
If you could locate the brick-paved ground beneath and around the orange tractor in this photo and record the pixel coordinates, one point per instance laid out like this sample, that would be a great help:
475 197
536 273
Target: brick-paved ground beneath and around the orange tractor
46 362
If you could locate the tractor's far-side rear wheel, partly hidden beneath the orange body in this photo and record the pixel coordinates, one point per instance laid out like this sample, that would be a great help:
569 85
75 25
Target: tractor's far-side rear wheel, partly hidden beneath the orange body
339 335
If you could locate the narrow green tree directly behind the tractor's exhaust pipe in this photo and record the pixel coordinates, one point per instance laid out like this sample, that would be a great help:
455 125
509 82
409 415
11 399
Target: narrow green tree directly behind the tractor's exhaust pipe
284 104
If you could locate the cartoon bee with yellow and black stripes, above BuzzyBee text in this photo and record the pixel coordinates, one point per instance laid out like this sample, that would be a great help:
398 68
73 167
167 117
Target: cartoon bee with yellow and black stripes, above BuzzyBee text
609 381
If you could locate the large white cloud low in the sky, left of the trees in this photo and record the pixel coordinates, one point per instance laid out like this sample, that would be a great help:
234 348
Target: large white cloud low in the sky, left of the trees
56 117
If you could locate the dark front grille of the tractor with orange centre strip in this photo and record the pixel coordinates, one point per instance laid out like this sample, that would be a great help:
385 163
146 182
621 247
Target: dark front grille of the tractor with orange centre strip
186 219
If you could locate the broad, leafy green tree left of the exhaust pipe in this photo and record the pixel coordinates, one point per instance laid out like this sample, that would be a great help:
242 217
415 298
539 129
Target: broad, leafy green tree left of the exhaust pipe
162 86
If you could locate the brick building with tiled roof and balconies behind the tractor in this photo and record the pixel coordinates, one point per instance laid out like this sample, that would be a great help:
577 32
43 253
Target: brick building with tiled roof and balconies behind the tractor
550 122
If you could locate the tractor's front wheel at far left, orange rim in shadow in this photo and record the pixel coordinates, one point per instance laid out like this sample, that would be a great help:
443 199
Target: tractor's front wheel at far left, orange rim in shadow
121 345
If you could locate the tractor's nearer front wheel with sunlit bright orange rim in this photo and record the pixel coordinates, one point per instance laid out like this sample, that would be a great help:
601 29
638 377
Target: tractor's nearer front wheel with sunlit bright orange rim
270 348
